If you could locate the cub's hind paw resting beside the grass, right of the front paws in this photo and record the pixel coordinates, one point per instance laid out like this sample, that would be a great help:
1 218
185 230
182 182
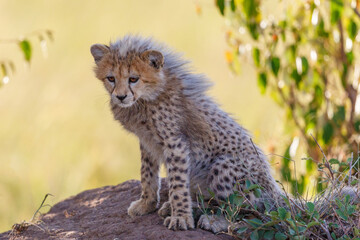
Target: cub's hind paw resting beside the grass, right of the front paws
213 223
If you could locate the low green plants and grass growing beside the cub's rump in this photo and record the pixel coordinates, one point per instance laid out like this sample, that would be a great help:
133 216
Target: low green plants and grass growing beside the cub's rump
332 214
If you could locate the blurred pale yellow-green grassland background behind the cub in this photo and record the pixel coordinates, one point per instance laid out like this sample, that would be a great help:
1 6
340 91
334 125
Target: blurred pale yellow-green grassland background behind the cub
57 134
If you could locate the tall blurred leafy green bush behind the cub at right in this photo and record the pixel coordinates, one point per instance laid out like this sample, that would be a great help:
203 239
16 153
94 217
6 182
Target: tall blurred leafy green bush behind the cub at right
307 60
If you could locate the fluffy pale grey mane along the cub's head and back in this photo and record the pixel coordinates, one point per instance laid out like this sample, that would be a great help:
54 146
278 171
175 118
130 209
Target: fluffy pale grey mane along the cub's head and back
174 64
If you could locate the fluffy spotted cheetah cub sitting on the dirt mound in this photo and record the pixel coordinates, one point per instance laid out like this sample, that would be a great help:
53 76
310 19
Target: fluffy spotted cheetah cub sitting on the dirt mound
155 96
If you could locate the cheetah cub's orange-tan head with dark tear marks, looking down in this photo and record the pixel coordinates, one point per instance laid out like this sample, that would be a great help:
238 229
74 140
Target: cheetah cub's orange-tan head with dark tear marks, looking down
131 76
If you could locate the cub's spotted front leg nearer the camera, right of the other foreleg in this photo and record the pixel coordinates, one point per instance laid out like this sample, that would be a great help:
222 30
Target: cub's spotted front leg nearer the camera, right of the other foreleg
177 164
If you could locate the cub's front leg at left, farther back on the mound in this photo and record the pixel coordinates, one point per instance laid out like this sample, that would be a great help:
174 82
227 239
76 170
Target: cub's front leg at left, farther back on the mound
149 186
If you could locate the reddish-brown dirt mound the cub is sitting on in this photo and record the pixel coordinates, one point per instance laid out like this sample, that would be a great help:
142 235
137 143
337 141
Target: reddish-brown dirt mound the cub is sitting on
102 214
